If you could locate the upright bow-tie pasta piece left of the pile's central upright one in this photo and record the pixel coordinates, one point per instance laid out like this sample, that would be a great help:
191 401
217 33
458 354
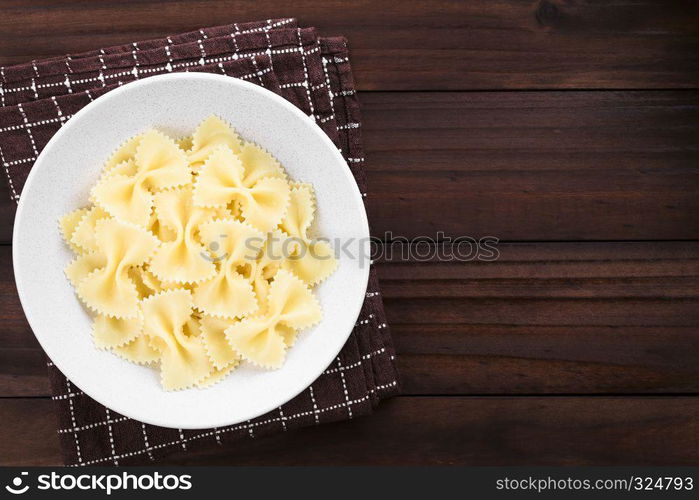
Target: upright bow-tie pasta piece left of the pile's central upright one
108 289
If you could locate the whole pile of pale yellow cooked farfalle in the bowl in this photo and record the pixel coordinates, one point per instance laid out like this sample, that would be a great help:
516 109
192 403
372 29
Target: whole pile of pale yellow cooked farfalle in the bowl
195 255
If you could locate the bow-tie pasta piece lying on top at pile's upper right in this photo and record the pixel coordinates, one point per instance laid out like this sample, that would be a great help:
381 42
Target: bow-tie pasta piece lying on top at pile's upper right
220 181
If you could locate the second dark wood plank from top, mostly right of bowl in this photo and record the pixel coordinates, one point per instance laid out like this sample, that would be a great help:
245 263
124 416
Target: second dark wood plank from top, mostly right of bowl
527 165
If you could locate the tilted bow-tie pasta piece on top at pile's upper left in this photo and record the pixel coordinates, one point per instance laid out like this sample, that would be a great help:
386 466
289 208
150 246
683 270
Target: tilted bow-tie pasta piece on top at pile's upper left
158 164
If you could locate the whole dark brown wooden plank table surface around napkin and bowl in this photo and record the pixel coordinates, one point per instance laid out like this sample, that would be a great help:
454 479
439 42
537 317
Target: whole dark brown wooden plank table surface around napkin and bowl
569 130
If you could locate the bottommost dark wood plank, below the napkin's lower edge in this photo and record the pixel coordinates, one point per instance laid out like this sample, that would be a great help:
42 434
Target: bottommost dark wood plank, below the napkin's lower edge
433 431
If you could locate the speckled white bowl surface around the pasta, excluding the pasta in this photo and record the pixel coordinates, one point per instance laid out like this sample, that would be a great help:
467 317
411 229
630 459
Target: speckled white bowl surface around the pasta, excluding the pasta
59 183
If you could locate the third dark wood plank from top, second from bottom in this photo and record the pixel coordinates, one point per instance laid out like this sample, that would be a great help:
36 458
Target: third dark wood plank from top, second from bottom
548 318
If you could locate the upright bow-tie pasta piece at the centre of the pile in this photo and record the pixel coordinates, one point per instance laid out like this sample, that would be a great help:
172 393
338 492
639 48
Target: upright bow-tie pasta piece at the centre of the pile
184 259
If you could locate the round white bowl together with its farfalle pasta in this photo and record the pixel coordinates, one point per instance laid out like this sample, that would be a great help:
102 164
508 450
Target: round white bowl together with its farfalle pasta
207 260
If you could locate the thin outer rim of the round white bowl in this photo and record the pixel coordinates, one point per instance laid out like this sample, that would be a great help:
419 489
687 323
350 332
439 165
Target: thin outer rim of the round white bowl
34 173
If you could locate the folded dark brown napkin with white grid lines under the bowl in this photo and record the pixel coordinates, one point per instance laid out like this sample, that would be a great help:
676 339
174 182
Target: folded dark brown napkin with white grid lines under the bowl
311 72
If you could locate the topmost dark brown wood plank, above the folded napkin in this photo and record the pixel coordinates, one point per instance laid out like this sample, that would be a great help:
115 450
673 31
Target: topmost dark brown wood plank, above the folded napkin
449 44
